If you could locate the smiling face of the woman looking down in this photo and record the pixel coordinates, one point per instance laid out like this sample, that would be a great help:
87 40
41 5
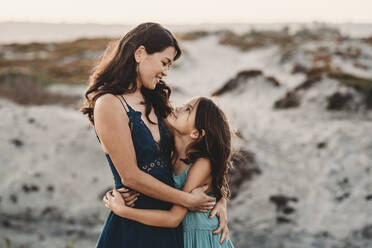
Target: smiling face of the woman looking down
152 67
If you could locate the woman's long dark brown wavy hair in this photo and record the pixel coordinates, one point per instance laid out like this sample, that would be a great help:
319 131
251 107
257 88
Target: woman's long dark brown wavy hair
116 71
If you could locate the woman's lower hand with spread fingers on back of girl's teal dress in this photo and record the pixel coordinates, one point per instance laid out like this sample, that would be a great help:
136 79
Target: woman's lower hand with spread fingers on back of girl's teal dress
220 210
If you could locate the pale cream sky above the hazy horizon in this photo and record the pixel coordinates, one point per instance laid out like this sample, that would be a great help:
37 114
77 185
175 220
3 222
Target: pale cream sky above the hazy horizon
187 11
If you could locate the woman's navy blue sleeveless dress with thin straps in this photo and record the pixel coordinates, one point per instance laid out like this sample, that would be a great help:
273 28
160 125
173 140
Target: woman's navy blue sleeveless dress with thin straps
154 159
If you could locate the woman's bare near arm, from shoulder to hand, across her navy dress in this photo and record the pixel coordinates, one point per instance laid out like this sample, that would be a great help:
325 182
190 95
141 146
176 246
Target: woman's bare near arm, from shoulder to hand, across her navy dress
111 123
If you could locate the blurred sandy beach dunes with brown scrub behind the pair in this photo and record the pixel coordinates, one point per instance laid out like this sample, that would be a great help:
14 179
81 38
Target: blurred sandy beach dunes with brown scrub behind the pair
299 98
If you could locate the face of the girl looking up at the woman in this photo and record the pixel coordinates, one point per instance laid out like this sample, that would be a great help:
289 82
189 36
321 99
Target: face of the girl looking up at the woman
182 119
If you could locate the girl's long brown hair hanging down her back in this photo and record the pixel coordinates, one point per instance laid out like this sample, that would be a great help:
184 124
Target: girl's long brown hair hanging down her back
214 145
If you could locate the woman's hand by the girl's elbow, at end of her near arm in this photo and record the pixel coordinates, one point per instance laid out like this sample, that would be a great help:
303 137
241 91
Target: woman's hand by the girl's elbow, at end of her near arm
202 201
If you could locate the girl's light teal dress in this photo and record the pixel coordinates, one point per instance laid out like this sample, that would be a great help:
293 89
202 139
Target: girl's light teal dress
197 226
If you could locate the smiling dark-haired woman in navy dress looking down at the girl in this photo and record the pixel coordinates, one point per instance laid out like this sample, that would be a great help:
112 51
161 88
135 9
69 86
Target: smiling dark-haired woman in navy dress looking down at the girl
135 141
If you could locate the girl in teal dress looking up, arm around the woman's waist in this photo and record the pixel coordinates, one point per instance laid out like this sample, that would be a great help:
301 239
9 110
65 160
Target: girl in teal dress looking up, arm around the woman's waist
202 155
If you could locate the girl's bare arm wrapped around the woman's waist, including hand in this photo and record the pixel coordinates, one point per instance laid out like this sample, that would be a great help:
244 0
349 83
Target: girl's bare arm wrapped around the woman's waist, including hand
198 174
